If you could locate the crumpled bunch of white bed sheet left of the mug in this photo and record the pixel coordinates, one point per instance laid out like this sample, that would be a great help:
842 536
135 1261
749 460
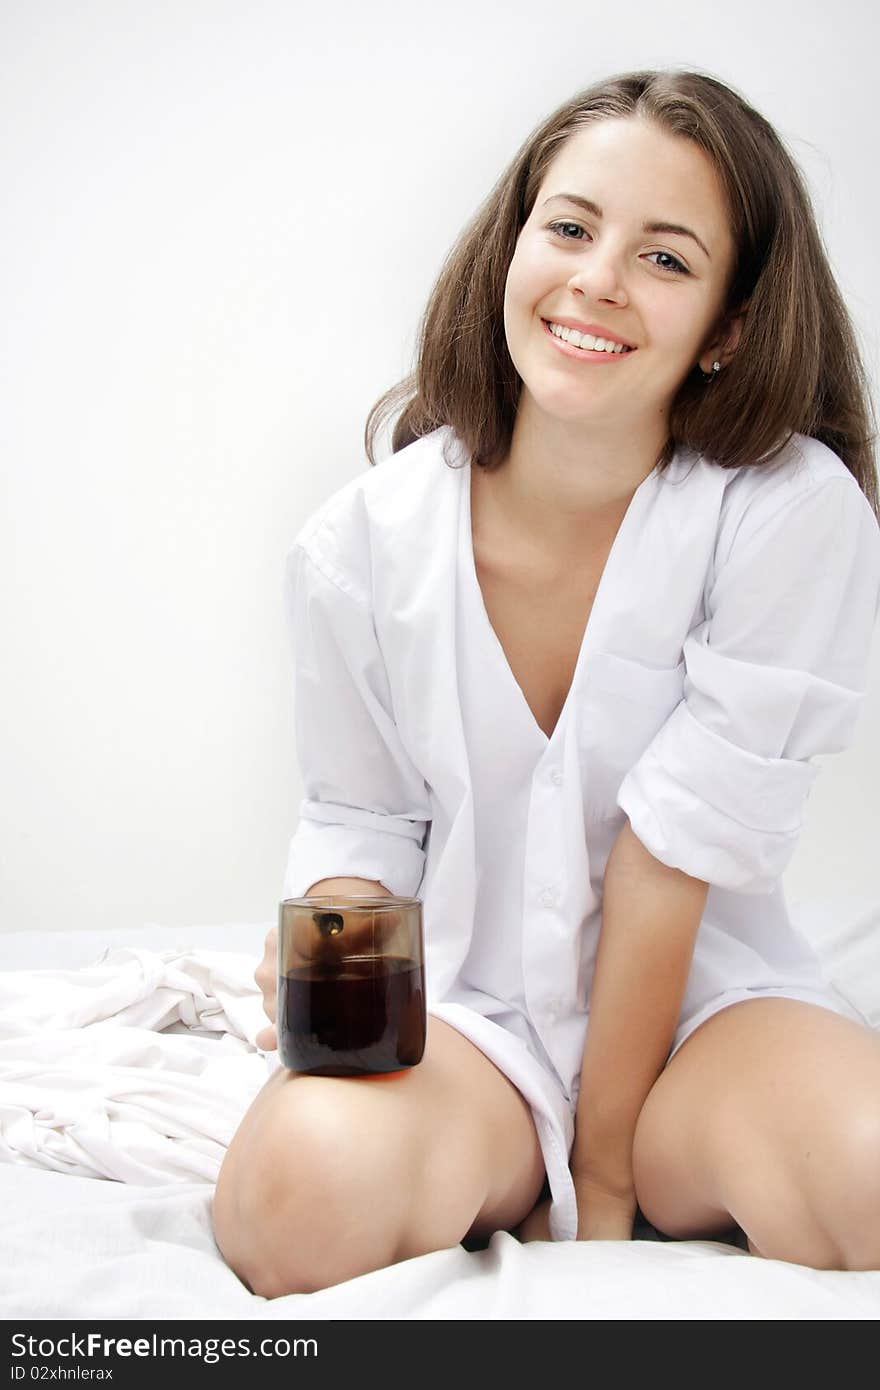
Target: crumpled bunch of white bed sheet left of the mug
138 1068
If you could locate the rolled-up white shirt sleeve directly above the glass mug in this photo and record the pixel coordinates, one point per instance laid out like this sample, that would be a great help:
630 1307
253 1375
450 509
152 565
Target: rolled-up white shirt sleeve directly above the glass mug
366 808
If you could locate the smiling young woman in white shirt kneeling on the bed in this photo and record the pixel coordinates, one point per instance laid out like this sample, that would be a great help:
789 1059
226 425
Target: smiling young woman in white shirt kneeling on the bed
564 664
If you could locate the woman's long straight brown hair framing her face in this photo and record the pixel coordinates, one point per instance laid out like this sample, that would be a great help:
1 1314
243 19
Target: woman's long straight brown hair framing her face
797 366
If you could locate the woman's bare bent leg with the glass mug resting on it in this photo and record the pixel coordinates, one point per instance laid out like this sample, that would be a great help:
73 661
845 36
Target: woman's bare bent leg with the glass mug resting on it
434 1154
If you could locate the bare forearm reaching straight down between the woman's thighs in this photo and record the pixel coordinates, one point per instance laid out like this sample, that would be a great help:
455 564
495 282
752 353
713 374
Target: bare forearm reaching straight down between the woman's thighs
650 921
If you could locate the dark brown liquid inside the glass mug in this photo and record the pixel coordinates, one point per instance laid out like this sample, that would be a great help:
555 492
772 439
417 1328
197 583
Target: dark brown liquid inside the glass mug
366 1018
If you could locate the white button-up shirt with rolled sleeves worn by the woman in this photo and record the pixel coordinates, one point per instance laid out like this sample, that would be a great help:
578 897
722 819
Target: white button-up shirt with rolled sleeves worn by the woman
728 647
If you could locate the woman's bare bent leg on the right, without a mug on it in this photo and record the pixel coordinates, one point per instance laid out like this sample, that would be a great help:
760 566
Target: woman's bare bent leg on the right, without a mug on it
756 1120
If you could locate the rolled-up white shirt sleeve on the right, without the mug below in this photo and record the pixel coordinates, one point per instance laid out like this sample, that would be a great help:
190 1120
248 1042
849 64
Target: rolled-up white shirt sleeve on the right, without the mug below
775 676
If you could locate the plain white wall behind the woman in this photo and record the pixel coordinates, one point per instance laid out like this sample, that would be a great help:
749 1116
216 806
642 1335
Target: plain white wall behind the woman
222 224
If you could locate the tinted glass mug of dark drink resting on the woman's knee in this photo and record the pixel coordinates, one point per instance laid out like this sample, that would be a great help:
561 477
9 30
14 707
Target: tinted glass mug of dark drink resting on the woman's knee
351 985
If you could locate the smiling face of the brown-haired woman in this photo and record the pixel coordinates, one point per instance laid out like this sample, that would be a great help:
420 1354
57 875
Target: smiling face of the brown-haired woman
657 290
